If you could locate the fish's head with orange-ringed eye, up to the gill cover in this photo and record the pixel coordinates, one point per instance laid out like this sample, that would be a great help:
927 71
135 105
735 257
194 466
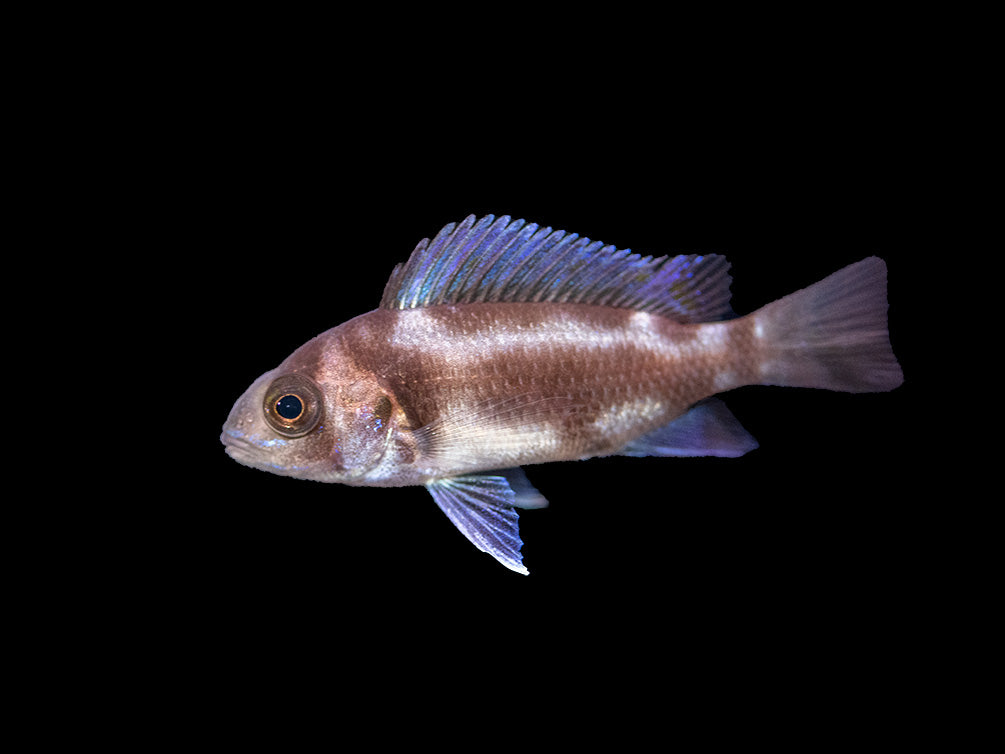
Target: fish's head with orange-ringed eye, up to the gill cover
316 417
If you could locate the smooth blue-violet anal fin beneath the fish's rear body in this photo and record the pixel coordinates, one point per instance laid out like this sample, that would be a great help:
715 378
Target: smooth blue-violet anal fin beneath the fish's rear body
709 429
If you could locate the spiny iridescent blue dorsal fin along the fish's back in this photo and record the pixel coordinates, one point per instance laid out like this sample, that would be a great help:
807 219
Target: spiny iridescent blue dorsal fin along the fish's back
503 261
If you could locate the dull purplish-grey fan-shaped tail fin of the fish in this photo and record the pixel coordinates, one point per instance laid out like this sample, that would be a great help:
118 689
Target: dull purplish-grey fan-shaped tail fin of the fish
832 335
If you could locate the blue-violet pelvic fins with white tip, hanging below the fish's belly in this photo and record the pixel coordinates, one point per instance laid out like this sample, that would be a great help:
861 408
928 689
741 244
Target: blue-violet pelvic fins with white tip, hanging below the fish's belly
484 508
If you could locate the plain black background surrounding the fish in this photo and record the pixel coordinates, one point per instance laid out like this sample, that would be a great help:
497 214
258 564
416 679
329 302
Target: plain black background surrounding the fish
225 187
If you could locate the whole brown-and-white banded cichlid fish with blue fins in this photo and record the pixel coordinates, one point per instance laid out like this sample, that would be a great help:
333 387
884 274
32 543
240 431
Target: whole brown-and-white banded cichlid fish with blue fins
501 343
